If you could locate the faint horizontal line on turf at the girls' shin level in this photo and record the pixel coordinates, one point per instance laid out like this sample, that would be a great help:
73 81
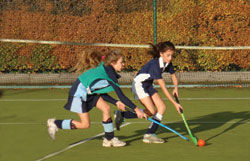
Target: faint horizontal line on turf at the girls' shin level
140 122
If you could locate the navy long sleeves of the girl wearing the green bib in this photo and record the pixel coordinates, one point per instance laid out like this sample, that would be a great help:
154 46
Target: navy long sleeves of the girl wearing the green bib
114 76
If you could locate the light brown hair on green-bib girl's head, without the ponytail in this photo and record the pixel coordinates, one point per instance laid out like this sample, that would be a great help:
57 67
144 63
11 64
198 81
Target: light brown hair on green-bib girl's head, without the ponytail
112 57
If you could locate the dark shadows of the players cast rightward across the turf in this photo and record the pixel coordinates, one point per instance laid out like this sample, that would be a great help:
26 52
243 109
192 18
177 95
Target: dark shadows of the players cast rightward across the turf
203 123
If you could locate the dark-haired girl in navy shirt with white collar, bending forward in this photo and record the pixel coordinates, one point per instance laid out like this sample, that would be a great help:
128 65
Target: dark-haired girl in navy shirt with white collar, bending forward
143 89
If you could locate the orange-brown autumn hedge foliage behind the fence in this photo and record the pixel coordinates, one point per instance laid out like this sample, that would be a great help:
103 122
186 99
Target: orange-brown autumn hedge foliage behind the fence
203 23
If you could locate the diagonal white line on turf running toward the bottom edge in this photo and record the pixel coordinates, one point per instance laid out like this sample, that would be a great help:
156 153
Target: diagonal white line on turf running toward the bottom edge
73 145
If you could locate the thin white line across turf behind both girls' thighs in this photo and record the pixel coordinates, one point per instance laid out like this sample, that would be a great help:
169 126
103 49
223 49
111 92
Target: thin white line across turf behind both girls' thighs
187 99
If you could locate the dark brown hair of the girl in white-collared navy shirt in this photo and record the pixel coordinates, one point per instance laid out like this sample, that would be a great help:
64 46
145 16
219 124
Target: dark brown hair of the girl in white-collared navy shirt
160 47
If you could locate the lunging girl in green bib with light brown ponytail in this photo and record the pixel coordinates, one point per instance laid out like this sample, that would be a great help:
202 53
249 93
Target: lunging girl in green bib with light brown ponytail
90 90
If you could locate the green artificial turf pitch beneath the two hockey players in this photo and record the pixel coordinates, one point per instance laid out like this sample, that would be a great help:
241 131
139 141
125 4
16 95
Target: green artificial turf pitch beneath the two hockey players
213 114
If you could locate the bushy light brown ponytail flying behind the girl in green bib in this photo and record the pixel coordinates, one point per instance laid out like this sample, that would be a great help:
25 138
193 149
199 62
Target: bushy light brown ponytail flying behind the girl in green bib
86 60
